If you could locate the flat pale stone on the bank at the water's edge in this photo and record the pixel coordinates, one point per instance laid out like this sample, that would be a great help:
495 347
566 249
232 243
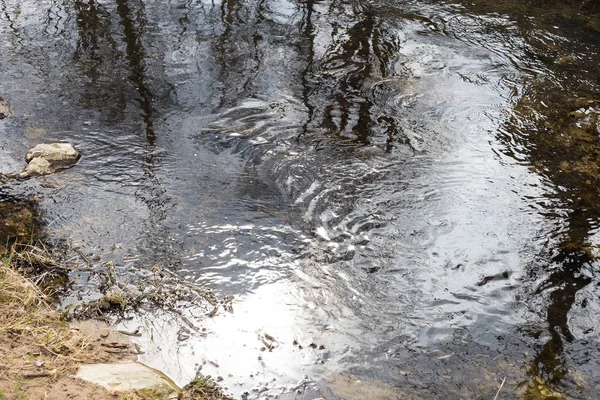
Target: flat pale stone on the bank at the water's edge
128 376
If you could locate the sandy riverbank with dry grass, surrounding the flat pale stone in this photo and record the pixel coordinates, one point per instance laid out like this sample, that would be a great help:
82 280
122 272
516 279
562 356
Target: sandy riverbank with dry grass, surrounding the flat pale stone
41 352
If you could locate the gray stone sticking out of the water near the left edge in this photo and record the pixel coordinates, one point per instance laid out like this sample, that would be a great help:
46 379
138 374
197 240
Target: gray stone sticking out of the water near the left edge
47 159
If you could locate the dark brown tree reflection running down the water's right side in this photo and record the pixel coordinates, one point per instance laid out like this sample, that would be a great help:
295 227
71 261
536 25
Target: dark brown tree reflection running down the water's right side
556 134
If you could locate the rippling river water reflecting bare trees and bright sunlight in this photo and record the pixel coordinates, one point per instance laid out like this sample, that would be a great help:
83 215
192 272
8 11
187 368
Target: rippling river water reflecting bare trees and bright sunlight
401 194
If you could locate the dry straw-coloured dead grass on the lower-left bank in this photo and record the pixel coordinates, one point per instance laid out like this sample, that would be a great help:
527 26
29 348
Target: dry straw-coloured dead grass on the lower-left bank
39 351
